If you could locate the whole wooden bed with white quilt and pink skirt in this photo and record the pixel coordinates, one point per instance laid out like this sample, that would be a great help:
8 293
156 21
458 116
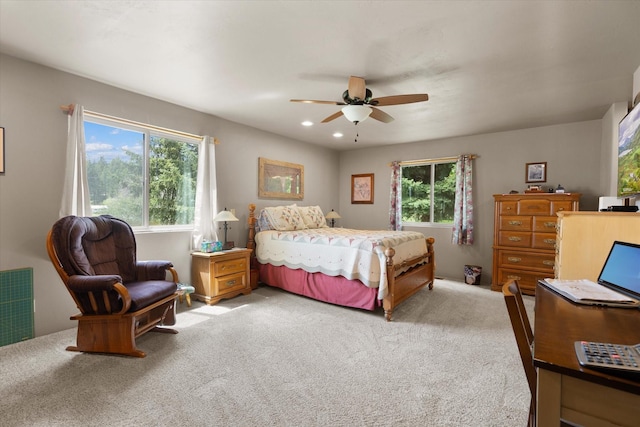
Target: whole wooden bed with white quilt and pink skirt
293 249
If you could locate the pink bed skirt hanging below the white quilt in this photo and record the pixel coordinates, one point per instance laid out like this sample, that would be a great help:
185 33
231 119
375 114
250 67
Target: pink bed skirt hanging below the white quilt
334 290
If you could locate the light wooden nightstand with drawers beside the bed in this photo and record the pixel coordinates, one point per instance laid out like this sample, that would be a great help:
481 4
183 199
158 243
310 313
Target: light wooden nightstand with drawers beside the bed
219 275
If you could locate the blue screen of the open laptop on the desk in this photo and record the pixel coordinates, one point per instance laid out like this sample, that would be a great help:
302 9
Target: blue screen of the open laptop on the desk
621 270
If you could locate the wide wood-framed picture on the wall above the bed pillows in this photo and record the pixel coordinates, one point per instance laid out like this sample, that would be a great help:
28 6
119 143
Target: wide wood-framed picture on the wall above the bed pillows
280 180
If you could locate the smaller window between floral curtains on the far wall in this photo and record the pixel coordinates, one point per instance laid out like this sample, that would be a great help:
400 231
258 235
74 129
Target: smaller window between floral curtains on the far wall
428 192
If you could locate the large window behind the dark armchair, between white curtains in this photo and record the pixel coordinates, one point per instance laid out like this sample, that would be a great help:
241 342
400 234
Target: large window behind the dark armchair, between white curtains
143 176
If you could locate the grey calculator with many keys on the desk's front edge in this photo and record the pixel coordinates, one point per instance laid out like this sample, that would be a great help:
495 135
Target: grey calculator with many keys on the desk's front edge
620 357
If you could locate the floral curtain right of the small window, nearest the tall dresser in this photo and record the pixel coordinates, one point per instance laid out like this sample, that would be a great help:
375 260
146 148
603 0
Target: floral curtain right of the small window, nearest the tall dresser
463 207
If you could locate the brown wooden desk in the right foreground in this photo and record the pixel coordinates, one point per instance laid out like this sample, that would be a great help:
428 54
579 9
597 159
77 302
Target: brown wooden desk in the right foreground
565 389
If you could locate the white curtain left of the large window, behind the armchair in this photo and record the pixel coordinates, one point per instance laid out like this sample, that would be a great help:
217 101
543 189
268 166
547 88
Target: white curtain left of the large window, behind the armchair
75 192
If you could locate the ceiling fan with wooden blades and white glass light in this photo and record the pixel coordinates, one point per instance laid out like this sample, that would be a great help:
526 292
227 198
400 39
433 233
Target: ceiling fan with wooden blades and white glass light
360 103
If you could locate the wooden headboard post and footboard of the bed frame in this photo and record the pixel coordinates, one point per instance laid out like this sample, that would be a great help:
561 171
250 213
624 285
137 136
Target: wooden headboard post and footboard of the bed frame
420 273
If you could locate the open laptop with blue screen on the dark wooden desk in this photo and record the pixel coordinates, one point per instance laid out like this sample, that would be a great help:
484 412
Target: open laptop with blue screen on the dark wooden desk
618 283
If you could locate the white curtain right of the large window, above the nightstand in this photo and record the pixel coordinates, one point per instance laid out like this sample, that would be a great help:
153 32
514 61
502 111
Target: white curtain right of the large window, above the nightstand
206 195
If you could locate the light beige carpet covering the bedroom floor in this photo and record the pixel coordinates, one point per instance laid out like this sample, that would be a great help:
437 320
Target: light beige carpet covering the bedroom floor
276 359
